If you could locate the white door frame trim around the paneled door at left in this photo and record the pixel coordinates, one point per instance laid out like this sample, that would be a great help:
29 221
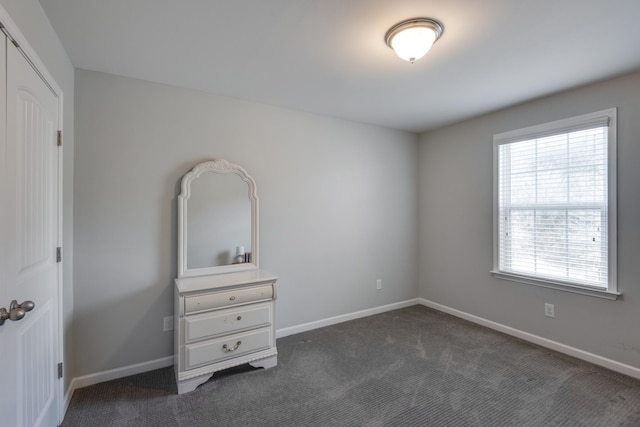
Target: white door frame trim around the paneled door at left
13 33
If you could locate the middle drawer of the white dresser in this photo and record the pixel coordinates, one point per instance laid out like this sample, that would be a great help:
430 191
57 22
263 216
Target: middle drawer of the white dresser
211 324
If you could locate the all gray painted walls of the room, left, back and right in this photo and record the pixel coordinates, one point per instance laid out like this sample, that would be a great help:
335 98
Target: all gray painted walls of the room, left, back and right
338 210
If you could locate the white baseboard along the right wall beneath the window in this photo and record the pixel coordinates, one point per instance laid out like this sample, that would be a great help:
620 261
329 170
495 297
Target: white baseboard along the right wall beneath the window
622 368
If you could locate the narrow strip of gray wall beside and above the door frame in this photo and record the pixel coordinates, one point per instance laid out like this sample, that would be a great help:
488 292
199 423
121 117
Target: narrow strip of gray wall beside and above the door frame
35 26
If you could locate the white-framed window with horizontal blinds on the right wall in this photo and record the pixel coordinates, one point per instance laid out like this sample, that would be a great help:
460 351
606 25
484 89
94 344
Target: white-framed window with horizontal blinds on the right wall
554 204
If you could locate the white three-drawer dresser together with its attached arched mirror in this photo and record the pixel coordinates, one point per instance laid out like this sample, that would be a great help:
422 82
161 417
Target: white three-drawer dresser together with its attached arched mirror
224 312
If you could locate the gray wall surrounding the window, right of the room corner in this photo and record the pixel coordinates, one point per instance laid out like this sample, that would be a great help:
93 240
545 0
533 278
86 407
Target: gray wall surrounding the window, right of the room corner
455 226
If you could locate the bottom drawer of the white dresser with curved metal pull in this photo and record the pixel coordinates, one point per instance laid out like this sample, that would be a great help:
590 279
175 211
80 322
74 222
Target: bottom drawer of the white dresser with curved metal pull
227 347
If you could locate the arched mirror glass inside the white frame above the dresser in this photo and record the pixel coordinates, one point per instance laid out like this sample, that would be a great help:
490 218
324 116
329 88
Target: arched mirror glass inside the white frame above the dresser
218 221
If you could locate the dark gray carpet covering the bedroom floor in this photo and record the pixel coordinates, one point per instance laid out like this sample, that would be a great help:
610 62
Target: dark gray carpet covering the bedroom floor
408 367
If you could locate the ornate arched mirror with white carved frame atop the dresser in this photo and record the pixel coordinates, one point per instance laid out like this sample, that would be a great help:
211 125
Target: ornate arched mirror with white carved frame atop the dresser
217 220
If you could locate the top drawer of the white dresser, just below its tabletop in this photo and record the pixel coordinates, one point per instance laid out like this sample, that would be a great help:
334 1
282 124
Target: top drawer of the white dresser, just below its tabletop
196 303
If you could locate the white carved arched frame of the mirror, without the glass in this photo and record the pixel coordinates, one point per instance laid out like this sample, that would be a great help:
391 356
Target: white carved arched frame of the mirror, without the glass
219 166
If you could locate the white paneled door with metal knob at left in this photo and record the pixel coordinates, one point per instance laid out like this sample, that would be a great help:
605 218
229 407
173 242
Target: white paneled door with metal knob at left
29 224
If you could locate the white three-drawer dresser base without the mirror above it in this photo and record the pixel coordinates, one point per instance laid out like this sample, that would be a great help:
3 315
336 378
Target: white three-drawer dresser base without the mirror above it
221 321
